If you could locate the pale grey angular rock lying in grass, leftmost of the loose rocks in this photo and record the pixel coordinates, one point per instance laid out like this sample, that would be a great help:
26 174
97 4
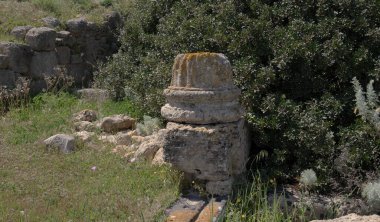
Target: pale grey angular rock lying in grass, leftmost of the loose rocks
65 143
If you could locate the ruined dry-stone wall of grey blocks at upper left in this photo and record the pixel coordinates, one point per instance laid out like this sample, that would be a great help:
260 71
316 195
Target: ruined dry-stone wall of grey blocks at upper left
71 52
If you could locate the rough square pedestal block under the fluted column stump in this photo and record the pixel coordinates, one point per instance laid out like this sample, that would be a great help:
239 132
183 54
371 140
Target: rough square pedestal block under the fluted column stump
212 153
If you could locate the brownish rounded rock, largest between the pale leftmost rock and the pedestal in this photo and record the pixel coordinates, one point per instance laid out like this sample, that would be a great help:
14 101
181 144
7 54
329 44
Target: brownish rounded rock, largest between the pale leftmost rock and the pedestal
117 123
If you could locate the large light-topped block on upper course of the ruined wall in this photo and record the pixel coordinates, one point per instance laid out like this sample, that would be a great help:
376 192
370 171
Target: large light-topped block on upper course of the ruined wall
41 39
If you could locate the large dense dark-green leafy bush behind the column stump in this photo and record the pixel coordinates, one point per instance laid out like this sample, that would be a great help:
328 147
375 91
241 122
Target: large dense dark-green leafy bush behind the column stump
294 61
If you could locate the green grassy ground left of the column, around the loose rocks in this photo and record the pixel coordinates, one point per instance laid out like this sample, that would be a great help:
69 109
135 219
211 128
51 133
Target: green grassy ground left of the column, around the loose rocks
37 185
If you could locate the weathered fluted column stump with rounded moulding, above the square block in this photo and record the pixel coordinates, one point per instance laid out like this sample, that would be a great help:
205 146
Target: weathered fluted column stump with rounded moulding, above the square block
202 90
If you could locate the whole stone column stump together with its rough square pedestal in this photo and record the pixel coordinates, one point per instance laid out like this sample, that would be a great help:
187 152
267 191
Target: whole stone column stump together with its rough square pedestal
205 136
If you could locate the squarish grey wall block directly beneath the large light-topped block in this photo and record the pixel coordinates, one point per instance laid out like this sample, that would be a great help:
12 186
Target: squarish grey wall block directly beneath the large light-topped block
43 64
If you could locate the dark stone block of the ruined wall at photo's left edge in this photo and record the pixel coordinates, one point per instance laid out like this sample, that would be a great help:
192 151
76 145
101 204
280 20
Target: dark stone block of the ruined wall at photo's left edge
18 55
